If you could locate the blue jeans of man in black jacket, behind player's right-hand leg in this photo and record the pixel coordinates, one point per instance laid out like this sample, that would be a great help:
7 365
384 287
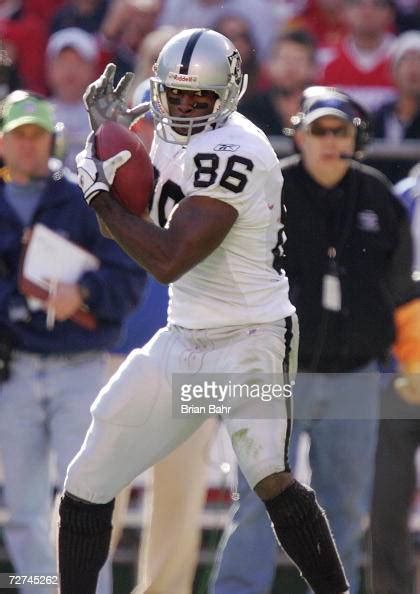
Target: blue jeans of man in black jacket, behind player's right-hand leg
339 412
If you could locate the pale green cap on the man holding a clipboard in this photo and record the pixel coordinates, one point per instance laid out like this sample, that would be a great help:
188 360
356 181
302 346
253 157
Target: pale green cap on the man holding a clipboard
20 108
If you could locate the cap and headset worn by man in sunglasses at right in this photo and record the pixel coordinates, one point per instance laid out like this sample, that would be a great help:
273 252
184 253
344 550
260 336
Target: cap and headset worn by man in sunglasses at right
332 101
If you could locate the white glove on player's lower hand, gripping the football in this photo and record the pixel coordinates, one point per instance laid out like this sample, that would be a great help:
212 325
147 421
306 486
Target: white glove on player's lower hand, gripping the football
96 176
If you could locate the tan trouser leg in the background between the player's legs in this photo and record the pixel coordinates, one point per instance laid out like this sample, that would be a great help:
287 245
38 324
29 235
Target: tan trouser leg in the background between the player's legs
178 482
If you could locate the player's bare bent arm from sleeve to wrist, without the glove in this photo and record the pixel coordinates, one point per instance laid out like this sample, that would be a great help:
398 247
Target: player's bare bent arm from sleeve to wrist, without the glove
196 228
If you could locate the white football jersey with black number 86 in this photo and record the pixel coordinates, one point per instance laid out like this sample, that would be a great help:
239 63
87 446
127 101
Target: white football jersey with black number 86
237 283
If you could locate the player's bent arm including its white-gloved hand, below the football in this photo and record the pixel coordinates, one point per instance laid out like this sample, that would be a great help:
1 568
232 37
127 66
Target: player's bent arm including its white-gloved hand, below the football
196 227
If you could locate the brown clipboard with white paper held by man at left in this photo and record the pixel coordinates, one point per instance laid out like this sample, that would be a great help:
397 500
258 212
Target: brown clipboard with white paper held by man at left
48 255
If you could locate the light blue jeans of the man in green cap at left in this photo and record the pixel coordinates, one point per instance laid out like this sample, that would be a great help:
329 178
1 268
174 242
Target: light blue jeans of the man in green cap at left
44 410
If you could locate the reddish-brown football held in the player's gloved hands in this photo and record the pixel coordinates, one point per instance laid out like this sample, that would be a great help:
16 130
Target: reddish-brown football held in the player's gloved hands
133 182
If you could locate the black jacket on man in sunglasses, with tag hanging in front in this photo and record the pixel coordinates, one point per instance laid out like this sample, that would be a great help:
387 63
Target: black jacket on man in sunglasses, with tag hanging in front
370 232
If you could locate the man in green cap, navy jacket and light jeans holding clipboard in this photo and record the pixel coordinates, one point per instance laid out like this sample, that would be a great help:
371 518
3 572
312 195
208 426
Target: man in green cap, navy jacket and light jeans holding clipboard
48 376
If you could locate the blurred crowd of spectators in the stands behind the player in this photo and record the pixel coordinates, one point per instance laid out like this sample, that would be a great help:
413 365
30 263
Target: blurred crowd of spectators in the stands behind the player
370 48
